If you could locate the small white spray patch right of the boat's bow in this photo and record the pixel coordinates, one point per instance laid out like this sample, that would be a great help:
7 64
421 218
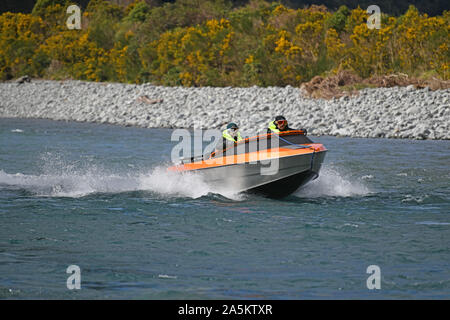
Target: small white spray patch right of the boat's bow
331 183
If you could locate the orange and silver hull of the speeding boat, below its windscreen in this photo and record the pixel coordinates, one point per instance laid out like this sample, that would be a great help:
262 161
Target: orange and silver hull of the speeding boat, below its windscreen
275 172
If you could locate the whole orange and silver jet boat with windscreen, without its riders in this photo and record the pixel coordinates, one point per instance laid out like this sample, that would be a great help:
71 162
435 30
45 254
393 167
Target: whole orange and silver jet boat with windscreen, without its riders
274 165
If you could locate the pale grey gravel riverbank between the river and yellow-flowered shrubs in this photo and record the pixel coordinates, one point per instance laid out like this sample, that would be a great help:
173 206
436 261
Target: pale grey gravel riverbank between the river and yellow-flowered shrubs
399 112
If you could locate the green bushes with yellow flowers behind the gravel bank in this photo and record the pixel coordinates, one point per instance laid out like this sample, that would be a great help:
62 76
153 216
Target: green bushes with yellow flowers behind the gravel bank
212 43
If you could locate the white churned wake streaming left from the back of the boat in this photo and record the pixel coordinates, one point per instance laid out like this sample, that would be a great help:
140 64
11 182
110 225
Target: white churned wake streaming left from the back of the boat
79 183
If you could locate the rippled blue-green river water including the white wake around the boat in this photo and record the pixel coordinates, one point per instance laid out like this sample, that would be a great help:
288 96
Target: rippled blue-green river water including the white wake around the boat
98 196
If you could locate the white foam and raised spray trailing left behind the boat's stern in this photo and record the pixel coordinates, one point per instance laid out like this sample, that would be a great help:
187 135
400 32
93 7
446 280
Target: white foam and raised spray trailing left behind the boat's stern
59 177
